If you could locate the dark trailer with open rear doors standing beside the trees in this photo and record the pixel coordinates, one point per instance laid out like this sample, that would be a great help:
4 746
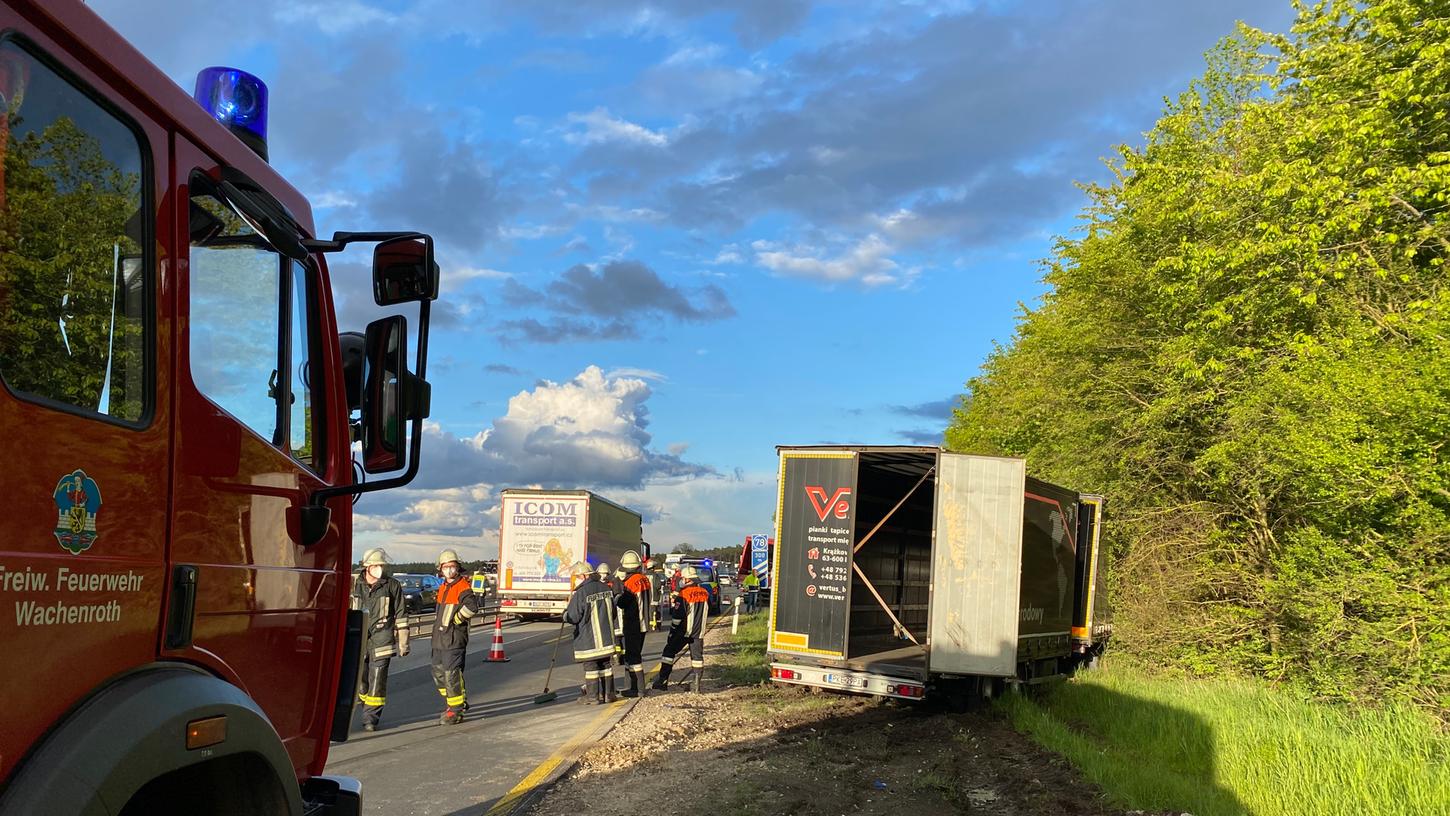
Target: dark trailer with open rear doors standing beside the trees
907 572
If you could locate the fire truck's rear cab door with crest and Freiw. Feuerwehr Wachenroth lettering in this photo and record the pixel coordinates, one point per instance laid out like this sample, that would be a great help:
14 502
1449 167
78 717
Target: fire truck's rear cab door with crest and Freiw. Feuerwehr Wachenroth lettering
85 341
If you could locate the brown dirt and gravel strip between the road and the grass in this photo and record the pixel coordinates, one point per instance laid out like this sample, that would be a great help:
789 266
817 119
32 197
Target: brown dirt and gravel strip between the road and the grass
766 750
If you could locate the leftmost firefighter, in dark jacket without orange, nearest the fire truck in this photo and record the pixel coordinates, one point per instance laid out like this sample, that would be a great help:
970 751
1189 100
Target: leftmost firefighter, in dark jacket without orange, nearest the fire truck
385 631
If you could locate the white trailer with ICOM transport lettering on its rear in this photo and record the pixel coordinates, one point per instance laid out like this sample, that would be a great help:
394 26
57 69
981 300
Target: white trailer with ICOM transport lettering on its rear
544 533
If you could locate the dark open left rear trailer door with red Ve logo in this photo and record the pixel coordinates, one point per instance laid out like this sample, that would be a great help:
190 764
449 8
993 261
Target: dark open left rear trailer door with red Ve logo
816 521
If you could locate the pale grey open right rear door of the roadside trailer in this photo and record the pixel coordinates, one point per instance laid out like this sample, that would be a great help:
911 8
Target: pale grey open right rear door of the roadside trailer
977 565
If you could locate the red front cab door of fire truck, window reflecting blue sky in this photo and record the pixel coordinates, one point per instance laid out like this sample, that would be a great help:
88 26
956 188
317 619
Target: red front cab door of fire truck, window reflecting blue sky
250 443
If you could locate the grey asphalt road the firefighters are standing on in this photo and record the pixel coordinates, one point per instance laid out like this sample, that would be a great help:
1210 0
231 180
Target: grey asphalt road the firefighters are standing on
415 767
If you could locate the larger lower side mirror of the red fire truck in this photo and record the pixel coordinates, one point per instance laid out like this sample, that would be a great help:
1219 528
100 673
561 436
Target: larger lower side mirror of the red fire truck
385 440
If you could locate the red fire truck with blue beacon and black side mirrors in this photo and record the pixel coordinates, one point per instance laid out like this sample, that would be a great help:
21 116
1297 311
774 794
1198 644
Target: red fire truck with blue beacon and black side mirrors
181 414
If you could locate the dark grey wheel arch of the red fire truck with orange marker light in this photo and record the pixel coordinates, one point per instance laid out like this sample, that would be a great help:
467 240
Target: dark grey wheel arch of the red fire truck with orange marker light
133 733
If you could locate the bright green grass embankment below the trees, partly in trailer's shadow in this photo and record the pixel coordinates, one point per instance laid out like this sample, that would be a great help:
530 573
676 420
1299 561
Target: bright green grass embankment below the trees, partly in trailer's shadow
1239 747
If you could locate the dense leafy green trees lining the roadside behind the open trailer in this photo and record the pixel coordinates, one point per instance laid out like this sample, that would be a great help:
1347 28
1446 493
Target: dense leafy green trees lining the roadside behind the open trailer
1246 349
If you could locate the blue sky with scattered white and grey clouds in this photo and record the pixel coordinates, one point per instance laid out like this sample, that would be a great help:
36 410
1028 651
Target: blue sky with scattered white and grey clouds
676 236
